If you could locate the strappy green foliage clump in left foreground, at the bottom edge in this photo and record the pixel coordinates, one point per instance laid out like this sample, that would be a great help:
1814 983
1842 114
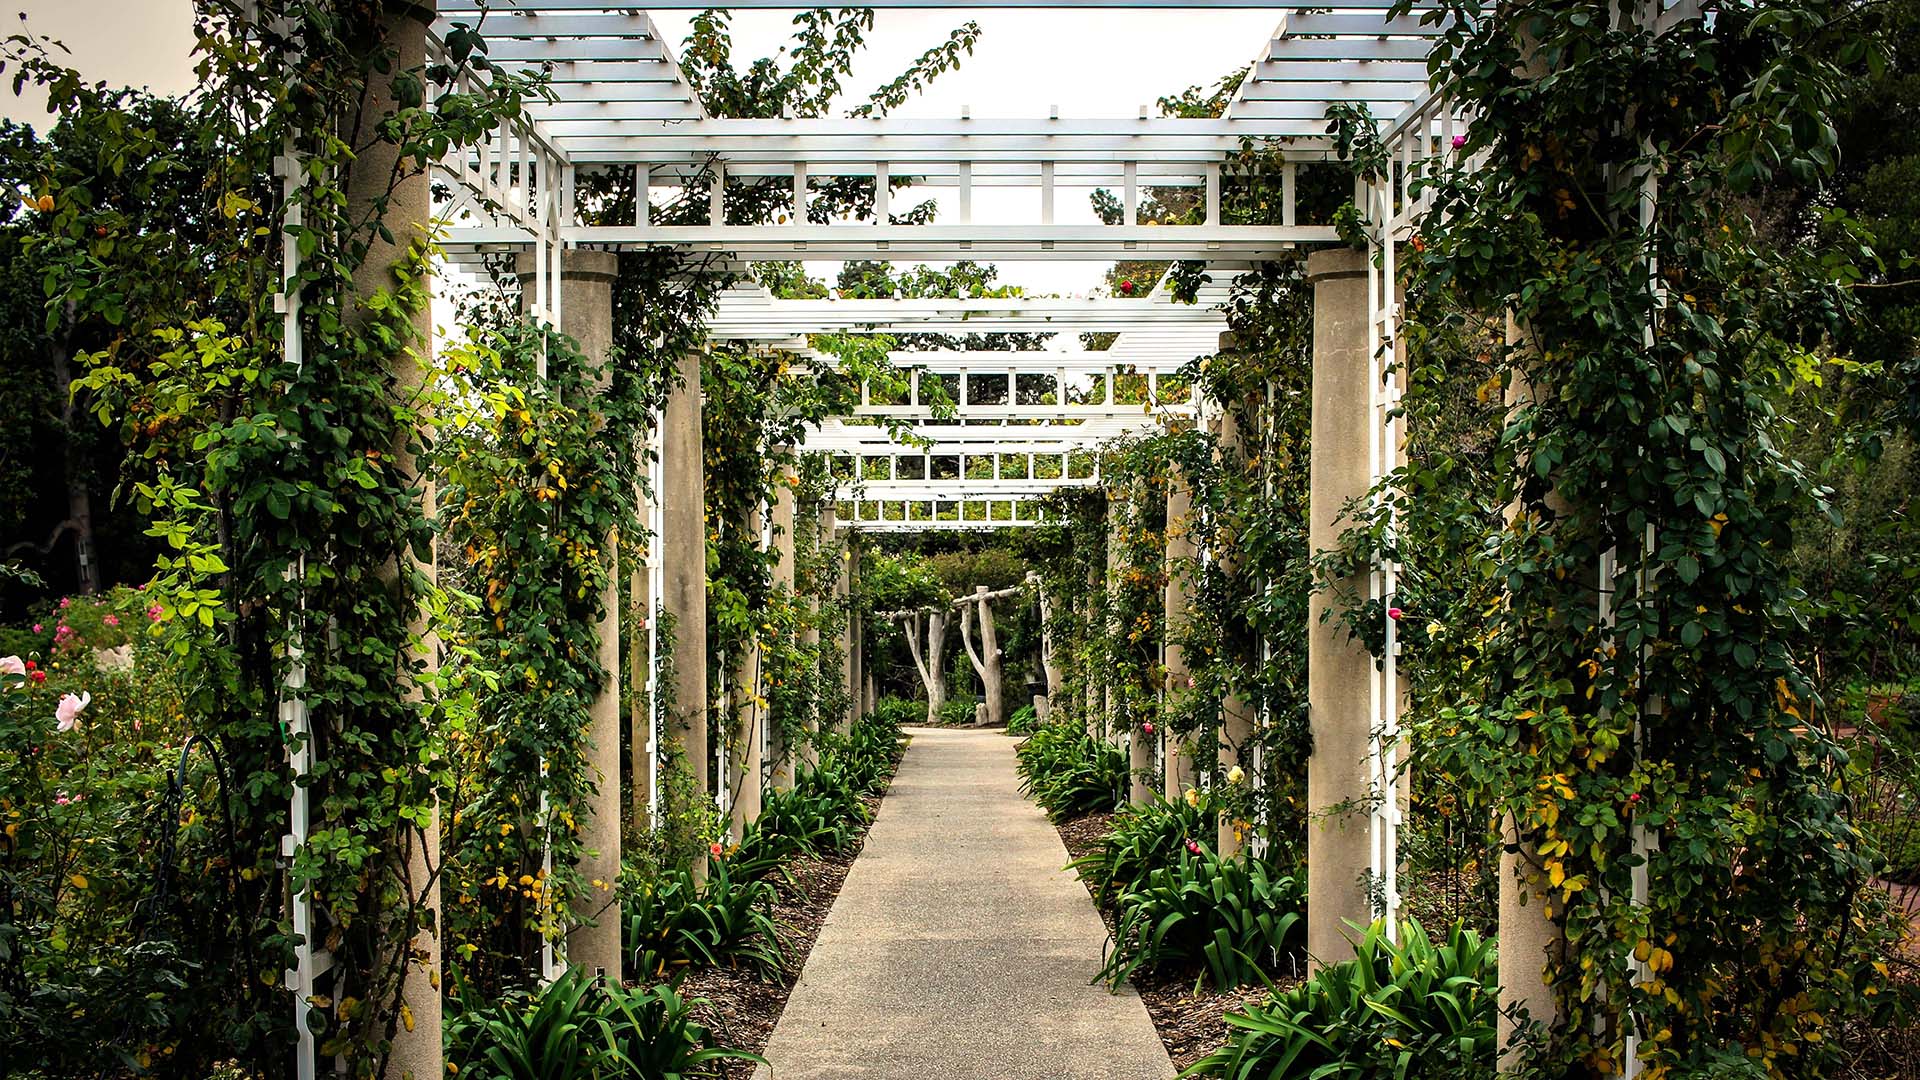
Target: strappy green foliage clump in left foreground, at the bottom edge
585 1029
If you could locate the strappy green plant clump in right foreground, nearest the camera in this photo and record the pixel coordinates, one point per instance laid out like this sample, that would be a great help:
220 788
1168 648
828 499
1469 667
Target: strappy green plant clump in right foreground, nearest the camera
1412 1012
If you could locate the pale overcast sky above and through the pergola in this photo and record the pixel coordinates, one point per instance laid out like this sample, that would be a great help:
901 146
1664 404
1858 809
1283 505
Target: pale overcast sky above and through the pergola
1092 64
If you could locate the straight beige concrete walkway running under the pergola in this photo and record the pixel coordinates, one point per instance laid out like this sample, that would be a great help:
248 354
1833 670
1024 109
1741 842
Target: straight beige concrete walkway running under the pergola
959 946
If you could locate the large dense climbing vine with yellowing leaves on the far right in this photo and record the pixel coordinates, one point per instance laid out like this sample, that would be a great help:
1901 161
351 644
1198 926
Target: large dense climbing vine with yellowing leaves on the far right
1620 662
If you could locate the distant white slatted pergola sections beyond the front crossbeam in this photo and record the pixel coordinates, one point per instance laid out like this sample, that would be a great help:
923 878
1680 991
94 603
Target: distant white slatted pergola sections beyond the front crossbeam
974 439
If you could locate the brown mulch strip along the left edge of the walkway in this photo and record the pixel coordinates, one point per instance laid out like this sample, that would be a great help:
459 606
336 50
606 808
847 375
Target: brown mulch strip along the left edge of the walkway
738 1008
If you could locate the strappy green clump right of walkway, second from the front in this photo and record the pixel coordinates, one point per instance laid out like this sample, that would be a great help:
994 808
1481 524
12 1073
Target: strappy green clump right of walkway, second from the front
1230 918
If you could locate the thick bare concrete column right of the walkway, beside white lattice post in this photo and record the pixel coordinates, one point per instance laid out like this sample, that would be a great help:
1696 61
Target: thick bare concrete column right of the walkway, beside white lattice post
1341 672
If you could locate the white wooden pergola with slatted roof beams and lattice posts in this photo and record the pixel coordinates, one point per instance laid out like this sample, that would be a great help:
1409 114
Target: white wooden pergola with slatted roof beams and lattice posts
1022 424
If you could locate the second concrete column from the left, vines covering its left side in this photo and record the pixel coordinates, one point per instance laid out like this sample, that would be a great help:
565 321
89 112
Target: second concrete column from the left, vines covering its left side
587 316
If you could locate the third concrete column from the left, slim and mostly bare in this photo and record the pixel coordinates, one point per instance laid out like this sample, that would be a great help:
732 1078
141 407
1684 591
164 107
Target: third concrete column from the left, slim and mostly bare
684 568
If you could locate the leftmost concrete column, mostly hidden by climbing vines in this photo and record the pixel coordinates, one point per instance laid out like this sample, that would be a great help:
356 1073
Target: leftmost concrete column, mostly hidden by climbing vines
379 174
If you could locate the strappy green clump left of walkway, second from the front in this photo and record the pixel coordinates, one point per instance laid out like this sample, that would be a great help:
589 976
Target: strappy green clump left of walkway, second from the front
723 923
